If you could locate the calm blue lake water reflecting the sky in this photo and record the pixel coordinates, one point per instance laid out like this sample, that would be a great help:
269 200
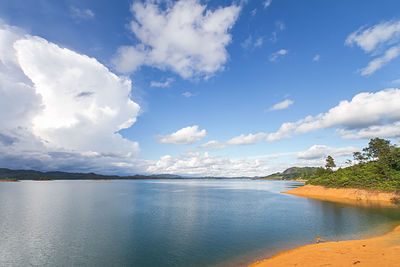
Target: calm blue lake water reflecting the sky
167 223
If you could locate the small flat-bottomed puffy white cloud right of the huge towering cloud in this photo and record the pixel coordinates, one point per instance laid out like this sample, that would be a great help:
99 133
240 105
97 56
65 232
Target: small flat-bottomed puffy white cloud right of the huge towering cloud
184 136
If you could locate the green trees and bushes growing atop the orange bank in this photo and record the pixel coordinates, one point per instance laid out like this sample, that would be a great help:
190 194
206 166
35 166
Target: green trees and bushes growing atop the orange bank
376 167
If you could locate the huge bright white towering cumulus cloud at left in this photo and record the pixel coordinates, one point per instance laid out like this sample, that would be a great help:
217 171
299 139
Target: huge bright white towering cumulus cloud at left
79 95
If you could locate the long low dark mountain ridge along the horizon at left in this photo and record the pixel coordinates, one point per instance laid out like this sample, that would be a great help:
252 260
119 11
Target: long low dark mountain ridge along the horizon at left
7 174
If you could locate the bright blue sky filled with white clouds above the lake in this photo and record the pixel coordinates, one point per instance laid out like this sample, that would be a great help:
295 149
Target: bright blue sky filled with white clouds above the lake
195 88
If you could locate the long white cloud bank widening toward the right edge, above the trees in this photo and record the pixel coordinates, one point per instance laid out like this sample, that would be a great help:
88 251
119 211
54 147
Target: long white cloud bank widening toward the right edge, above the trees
364 112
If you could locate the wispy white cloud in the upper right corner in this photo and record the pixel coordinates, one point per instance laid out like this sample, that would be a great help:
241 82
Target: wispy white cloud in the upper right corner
374 40
